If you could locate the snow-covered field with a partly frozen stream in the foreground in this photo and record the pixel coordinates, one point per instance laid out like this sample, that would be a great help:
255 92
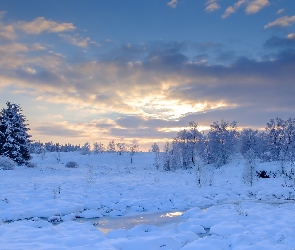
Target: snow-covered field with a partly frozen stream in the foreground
51 206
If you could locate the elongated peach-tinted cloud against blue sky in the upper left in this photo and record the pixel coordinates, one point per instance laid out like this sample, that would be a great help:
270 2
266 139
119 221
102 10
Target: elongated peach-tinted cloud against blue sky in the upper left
40 25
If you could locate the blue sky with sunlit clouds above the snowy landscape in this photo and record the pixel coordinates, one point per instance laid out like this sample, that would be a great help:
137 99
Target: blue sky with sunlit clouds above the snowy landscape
94 71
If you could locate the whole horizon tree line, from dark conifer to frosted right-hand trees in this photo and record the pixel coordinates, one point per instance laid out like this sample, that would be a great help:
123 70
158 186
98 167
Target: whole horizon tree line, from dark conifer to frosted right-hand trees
217 147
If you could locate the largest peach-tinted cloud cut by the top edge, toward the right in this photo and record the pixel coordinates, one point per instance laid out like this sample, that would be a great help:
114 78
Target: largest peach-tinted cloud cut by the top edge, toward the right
252 7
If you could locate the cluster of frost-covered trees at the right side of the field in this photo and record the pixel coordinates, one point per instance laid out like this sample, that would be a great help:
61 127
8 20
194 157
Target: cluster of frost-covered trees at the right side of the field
223 141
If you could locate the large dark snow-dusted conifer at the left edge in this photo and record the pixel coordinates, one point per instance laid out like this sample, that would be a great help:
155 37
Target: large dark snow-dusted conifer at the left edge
14 139
